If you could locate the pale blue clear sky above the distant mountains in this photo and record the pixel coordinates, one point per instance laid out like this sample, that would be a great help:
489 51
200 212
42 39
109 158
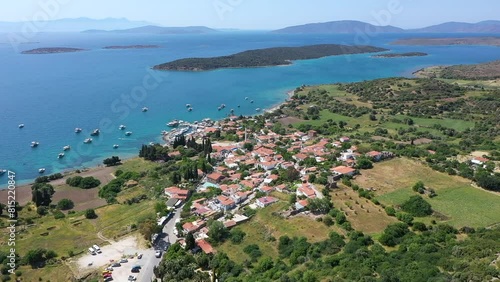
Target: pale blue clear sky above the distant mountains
261 14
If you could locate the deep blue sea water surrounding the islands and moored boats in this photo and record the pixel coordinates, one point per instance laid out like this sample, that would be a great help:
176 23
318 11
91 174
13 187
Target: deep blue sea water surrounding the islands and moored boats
52 94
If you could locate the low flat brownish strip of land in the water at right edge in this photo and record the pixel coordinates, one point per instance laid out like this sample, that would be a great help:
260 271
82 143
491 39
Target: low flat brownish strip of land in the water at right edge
485 40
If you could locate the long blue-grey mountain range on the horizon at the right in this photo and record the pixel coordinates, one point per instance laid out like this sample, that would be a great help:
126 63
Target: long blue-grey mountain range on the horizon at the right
357 27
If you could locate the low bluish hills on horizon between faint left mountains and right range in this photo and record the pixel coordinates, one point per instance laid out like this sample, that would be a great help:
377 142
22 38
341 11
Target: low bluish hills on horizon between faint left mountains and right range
152 29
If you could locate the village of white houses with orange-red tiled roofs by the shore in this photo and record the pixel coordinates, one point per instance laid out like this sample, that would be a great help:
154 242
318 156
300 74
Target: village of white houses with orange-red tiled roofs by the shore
244 177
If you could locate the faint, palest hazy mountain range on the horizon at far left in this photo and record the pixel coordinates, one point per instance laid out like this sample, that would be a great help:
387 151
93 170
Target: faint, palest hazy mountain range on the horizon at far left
73 25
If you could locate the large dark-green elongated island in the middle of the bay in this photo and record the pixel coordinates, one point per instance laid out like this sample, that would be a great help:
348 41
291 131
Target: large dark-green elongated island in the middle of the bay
277 56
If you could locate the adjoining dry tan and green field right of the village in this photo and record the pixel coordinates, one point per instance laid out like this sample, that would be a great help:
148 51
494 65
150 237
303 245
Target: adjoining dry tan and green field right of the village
460 203
